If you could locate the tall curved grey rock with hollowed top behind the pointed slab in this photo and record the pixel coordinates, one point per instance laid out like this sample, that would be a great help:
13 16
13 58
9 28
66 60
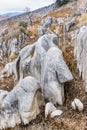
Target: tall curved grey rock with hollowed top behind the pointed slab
42 46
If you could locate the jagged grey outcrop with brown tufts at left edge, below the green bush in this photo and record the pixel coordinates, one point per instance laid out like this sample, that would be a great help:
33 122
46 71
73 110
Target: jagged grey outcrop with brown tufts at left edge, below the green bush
11 45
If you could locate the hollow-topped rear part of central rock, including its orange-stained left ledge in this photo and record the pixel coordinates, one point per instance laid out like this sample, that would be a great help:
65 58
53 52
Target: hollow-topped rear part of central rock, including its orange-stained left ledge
37 50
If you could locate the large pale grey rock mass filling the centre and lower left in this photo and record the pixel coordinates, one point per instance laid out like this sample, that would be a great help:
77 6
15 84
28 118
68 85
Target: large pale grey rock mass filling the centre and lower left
44 61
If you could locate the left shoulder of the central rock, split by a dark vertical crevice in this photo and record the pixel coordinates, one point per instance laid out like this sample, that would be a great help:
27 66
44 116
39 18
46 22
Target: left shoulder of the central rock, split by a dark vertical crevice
20 65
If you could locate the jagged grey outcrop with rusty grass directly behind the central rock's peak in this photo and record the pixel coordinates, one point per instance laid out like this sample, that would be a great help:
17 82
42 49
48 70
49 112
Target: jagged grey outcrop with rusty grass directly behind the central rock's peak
64 23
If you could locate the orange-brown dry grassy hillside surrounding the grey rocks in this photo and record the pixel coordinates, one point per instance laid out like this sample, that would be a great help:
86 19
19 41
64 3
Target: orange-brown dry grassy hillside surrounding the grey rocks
70 119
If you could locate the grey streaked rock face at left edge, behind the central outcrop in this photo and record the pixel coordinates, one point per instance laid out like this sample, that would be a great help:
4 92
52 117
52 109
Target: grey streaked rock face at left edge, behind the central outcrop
13 45
